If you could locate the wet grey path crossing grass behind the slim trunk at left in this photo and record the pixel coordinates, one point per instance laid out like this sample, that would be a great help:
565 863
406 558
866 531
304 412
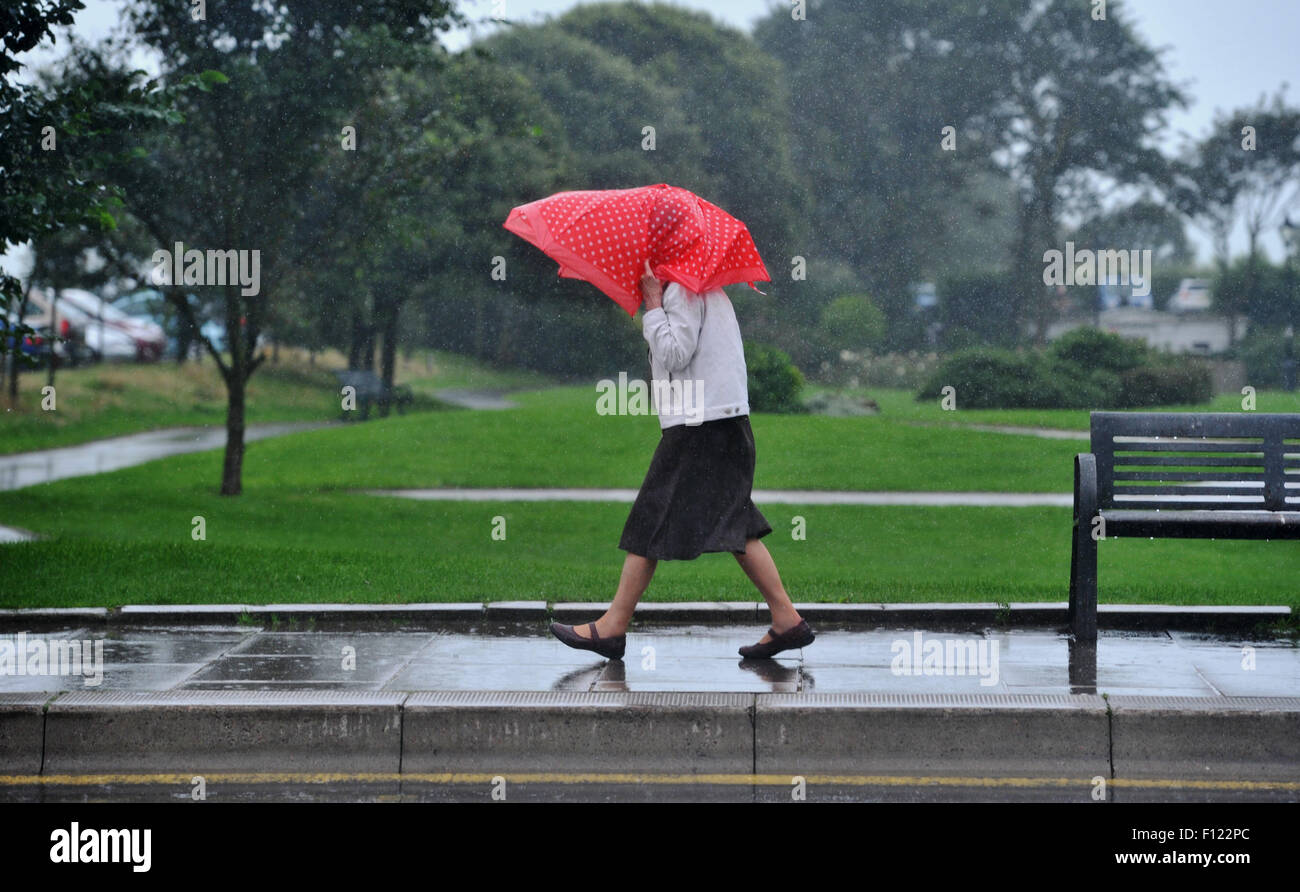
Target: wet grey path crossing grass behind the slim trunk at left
102 456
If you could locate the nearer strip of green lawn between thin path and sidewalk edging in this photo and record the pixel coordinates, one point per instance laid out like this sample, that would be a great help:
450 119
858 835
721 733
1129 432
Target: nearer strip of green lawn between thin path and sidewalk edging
275 545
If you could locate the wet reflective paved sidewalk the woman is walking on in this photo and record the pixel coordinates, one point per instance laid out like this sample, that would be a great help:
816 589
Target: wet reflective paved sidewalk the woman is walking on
673 659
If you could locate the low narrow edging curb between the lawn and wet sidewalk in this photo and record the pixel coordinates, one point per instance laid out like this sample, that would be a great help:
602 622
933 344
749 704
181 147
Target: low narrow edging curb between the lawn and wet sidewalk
435 616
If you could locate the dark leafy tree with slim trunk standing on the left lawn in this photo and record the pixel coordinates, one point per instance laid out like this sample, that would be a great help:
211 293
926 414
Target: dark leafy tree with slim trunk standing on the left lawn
240 175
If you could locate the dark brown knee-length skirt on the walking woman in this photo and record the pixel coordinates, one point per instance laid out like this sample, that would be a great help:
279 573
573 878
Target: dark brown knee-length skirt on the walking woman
696 497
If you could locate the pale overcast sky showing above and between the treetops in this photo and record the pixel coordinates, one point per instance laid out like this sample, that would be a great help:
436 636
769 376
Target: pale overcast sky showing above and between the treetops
1227 54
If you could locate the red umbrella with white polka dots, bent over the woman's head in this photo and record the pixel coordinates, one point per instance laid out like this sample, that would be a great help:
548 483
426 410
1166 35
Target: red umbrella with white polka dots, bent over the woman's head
605 237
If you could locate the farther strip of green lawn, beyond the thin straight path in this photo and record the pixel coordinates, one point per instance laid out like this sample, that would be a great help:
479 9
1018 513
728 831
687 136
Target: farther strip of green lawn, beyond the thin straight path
556 439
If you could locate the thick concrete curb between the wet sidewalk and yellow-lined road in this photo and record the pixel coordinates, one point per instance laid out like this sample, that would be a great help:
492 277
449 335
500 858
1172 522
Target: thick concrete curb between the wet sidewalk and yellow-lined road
1019 737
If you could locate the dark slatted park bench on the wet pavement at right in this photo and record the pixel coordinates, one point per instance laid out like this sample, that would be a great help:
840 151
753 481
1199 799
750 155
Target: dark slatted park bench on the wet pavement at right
1175 475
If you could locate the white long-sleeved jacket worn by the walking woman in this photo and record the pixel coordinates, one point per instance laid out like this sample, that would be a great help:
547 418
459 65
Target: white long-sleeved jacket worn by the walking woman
697 358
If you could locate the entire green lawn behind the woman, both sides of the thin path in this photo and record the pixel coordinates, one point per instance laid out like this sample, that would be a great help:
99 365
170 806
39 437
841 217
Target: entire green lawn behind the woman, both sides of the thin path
300 535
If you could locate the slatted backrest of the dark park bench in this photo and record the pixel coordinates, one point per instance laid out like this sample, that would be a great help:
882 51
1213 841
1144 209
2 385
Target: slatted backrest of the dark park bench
1186 461
